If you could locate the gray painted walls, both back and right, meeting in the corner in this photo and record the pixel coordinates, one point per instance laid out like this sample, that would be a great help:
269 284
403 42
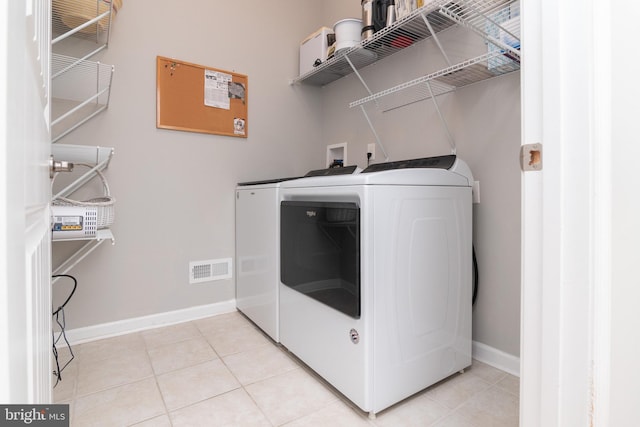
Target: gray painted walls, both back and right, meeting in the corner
175 189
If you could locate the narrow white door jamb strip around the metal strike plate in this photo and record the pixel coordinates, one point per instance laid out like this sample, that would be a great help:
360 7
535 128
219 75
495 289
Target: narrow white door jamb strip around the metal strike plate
531 397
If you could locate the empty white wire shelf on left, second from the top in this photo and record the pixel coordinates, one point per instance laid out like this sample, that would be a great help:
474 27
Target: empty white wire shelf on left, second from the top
80 89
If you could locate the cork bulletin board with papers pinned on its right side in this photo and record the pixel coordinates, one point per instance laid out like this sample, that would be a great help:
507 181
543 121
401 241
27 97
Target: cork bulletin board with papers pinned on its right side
195 98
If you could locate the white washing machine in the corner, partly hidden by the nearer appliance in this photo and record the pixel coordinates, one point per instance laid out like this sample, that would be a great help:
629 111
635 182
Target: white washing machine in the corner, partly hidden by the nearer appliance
258 247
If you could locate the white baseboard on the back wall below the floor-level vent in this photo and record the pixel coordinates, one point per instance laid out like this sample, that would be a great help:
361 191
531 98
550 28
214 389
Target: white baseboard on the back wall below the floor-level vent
121 327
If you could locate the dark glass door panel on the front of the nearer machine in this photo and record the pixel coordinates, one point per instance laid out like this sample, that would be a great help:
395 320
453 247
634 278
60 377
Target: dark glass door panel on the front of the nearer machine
320 252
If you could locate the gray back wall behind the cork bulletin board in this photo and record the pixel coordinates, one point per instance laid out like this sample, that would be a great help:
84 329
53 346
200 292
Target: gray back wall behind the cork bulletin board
175 190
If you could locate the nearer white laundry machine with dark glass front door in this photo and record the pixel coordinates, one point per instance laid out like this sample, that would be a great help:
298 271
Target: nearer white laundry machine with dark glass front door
376 277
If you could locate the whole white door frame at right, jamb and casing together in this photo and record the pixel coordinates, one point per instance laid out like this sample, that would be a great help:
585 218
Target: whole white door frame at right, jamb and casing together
566 214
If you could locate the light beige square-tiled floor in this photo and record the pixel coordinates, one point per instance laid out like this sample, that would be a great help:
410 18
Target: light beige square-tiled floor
223 371
